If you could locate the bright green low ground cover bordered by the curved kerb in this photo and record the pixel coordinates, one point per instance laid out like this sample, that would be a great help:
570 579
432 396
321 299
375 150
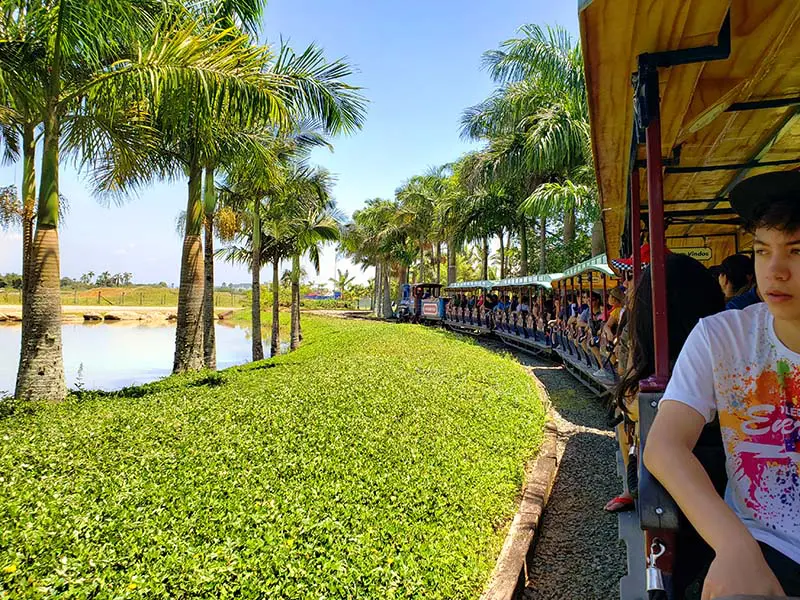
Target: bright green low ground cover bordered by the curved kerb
378 461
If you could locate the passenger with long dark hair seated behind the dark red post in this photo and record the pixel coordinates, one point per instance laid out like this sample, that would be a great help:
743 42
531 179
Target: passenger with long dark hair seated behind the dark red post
692 293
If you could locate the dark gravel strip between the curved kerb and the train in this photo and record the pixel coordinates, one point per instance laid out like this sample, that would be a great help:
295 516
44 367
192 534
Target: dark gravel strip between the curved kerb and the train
578 554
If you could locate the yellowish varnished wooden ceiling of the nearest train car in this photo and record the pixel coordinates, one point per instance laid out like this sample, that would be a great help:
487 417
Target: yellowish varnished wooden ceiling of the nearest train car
727 114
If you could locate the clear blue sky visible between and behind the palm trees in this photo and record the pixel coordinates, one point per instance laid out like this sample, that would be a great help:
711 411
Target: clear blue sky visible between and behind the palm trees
419 62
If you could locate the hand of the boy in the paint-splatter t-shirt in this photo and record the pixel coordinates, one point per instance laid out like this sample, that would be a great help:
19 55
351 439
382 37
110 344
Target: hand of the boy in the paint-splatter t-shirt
740 572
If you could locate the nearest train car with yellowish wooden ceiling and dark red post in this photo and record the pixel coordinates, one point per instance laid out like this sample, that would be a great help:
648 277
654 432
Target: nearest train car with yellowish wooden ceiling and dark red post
686 99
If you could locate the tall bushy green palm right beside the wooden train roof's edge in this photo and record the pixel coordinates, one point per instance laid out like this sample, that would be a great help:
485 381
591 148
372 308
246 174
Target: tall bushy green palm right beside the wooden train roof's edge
538 128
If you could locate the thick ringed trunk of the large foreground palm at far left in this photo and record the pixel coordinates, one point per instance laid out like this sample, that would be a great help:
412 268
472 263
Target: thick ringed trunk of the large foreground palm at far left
41 364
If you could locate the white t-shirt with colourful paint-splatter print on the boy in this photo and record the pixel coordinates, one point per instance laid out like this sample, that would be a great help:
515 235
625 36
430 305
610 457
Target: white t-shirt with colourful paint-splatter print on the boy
735 366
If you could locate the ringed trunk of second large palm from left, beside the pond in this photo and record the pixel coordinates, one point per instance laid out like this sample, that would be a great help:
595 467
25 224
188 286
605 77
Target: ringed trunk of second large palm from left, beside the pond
189 331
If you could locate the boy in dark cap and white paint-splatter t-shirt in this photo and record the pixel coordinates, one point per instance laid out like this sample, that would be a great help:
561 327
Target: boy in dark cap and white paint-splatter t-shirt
744 366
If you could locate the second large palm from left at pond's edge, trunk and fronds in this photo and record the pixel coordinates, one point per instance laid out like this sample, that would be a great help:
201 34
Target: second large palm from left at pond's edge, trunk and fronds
204 132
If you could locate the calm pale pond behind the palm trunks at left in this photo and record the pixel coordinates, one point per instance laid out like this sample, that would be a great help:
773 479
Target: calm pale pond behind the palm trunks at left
111 356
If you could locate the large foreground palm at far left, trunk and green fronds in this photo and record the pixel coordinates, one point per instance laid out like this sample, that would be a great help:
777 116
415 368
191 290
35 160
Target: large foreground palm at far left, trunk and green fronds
94 62
